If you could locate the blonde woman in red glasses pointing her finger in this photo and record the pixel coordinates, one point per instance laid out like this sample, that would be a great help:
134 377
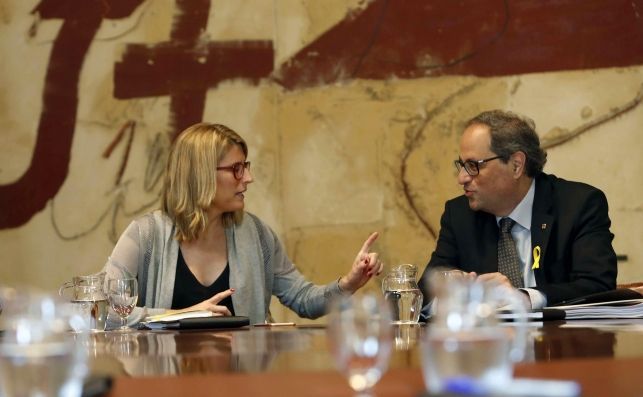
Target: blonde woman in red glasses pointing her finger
202 251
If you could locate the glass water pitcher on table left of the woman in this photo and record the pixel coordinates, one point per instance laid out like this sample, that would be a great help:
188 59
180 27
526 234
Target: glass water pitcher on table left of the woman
87 294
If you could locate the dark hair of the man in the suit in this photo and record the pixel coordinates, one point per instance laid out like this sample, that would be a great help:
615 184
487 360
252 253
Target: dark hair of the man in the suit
511 133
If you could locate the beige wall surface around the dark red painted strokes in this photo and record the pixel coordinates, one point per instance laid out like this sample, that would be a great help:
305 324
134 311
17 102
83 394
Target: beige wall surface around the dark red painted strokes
326 160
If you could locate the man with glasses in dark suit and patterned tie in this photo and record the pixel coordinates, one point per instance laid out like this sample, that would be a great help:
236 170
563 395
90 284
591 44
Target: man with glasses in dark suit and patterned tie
560 229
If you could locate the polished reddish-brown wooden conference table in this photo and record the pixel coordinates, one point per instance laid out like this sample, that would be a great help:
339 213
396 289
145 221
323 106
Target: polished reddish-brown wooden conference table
606 358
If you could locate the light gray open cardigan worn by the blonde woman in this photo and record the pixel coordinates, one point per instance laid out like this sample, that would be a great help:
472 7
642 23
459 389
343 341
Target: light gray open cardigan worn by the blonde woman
259 268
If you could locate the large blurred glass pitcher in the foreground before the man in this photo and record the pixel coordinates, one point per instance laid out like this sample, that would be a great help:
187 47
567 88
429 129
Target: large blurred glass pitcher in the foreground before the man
466 349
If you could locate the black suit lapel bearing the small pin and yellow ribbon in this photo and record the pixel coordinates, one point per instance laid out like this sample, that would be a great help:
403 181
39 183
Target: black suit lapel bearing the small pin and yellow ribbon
541 223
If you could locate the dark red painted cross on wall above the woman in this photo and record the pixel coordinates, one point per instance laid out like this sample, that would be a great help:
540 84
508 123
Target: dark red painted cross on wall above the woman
187 66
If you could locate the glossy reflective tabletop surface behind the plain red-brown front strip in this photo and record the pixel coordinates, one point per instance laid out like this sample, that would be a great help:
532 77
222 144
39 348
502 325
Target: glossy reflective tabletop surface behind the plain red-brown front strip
304 348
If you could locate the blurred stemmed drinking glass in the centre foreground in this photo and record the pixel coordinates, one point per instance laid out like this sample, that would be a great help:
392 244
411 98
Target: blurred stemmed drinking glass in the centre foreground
360 335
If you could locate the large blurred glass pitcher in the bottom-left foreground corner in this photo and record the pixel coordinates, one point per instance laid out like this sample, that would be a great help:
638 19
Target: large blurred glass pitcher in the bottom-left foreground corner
38 357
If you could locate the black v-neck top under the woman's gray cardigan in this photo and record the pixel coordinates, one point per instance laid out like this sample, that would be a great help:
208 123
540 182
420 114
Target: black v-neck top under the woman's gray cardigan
188 291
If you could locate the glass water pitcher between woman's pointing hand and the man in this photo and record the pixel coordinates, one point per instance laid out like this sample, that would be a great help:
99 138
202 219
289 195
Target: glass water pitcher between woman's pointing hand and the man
401 291
